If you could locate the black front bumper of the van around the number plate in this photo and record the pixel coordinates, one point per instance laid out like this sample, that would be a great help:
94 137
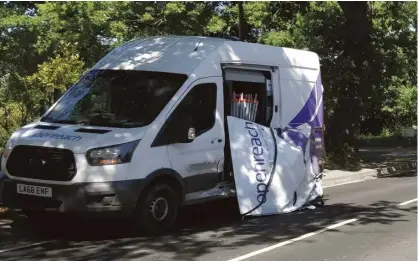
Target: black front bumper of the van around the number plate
115 198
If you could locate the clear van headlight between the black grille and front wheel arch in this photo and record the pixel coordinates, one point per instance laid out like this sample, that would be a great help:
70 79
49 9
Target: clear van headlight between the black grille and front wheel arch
112 155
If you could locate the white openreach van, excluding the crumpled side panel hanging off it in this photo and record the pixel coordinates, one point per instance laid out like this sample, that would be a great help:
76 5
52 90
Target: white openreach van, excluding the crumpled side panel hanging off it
144 131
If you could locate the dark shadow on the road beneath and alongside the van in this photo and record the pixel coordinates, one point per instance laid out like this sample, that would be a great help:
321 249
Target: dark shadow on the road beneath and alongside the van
201 230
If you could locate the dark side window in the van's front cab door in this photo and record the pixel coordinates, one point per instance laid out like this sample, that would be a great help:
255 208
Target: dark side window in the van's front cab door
197 109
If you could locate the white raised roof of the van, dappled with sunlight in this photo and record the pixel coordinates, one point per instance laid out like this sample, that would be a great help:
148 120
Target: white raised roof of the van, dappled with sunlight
181 54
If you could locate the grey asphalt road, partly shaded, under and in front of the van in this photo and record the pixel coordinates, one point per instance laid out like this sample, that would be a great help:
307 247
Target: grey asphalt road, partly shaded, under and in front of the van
361 221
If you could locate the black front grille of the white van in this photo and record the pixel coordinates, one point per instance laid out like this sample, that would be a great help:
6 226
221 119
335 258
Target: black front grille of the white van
41 163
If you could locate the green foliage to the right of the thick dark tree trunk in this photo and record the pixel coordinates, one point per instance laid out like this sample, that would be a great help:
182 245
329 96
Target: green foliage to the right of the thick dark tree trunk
394 100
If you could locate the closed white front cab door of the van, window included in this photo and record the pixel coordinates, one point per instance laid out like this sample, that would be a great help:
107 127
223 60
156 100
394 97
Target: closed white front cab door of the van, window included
198 161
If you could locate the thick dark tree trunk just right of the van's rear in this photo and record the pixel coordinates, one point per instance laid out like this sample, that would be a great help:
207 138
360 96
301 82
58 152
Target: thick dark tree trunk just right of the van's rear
353 97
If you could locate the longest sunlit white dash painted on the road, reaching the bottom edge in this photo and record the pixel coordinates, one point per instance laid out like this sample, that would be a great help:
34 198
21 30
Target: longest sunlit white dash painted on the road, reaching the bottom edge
263 250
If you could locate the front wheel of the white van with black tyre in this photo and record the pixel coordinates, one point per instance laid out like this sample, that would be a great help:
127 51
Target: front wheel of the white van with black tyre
157 209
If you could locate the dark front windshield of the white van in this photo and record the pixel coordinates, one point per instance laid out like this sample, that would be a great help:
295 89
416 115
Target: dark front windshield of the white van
116 98
